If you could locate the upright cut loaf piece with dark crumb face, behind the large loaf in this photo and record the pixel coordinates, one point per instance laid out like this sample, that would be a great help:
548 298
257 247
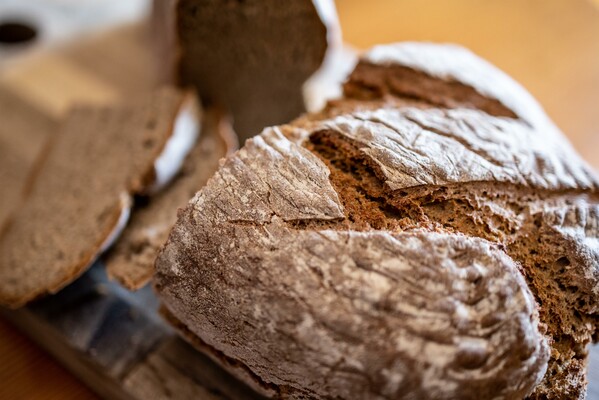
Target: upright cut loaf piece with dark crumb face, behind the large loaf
251 57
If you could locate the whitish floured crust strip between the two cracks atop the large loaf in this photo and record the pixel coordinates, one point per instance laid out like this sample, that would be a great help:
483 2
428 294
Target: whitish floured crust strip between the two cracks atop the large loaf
487 149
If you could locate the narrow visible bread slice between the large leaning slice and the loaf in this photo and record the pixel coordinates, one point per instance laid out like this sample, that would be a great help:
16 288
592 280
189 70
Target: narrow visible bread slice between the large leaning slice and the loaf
131 261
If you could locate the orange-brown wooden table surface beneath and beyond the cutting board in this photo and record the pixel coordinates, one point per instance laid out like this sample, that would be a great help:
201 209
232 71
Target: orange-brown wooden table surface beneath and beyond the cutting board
551 46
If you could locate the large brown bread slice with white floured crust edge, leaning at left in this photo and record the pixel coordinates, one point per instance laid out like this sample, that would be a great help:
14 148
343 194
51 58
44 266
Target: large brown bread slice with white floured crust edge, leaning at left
80 198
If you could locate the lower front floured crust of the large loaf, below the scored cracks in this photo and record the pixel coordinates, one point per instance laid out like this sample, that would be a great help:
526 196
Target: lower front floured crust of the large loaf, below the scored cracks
360 288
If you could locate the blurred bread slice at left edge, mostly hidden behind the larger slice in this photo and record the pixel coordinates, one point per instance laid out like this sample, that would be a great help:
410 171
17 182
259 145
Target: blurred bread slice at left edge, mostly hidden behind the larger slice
23 133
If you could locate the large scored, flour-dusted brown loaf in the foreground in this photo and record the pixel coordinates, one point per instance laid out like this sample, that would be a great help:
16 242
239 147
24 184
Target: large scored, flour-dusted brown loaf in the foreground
432 235
